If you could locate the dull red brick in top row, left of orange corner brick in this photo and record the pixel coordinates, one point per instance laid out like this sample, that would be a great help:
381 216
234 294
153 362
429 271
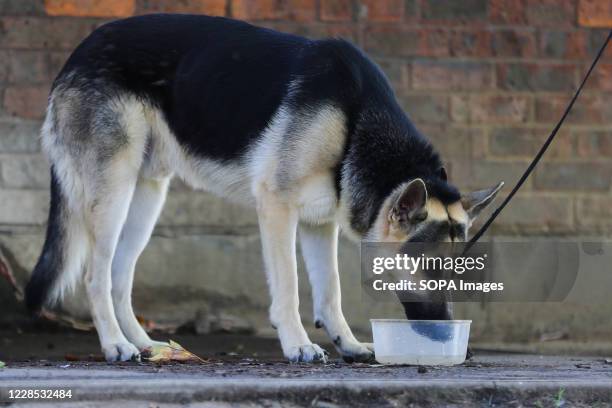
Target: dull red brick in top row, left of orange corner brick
552 13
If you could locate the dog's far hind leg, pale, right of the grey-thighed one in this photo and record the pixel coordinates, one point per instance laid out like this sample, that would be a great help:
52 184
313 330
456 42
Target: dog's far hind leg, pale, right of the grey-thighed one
147 203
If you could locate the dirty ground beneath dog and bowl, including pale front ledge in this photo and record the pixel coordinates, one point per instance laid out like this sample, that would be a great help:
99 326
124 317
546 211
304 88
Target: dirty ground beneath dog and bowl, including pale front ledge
248 371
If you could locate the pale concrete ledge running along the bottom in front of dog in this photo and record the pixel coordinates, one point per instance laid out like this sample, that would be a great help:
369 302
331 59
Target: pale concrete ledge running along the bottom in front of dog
492 380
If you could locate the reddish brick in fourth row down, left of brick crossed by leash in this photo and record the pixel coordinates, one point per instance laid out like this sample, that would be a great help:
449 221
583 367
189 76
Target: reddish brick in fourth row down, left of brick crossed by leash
477 108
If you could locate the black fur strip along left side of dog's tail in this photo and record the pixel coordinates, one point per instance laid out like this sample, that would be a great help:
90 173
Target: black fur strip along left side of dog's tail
50 263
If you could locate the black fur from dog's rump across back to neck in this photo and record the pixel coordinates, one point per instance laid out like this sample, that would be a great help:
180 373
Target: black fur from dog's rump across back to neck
219 82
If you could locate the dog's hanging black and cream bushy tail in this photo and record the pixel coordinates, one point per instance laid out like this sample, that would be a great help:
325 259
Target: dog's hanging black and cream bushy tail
63 255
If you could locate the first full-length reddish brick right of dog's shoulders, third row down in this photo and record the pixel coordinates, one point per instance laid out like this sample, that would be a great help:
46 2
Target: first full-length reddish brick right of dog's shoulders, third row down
437 75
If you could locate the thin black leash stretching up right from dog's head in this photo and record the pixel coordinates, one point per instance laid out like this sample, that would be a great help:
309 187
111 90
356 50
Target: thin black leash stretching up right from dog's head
540 153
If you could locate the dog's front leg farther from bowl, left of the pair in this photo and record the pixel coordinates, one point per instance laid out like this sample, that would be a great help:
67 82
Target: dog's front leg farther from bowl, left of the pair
278 224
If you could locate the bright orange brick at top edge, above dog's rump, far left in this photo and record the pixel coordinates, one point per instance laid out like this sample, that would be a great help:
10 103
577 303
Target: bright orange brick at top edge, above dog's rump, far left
90 8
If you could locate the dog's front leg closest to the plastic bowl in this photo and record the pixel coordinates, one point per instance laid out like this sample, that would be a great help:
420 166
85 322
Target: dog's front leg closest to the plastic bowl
320 250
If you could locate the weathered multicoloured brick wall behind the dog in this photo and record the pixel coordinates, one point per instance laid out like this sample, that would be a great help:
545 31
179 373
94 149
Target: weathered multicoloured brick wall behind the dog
484 79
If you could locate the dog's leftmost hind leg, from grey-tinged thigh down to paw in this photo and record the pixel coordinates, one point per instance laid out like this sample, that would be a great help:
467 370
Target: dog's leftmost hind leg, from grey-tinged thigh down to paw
117 149
